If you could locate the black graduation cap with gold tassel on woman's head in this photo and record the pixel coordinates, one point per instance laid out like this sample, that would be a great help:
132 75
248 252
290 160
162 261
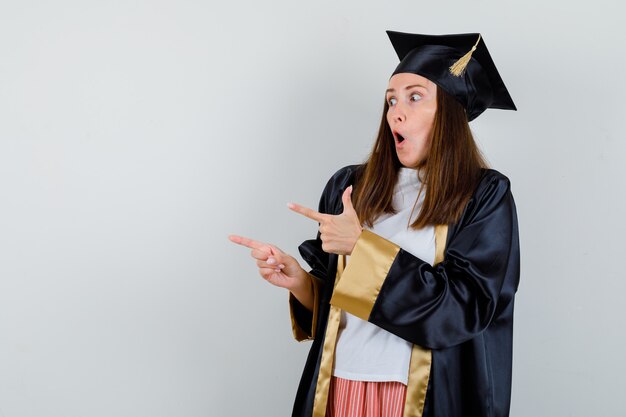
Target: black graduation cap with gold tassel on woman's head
460 64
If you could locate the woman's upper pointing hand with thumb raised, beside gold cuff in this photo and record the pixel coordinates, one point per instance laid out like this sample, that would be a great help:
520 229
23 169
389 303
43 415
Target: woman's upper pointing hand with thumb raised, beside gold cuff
339 233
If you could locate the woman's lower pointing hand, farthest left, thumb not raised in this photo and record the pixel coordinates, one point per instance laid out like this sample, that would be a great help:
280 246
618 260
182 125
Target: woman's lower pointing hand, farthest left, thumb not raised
277 267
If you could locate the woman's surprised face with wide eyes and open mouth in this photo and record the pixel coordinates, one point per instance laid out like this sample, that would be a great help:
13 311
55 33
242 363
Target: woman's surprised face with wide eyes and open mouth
412 103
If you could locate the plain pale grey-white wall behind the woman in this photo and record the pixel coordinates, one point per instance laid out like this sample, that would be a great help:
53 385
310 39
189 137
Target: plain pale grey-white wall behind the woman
136 135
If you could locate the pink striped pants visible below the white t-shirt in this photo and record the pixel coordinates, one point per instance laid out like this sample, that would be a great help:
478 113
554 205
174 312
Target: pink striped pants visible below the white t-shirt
348 398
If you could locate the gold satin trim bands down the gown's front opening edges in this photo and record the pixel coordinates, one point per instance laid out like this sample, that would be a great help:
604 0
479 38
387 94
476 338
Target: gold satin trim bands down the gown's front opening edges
421 358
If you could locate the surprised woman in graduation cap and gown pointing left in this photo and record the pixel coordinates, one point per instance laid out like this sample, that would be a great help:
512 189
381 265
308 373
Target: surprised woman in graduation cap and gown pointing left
409 301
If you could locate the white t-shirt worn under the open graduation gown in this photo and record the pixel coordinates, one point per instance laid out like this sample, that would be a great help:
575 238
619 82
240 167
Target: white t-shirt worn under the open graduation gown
364 351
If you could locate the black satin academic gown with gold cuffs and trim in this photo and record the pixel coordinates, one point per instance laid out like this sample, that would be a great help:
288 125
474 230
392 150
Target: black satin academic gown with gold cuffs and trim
458 313
